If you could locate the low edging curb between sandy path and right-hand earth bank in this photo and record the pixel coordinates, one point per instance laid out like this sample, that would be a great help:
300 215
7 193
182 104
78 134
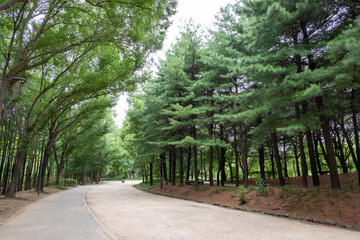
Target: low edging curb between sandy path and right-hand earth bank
292 217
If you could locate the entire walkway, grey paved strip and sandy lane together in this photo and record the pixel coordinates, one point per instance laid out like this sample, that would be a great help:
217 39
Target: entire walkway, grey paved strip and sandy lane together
130 214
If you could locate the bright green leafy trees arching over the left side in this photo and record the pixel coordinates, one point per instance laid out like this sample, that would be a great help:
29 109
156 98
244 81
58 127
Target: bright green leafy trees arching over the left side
63 63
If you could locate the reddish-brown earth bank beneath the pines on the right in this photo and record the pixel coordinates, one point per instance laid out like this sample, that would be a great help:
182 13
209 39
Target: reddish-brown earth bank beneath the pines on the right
321 204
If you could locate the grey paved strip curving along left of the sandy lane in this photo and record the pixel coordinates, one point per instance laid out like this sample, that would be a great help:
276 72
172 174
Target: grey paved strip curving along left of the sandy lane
62 216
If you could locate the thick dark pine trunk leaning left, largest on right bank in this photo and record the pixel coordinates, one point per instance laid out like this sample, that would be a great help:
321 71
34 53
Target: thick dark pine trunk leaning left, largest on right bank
325 126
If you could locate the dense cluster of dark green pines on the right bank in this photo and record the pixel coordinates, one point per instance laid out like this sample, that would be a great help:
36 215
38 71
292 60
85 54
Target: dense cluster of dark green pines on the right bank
273 93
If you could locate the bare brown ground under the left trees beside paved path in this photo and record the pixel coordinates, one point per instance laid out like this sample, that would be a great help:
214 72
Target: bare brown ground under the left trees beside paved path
10 208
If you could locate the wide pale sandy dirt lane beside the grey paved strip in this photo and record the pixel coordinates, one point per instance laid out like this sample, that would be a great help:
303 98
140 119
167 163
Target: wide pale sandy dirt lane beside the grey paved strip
132 214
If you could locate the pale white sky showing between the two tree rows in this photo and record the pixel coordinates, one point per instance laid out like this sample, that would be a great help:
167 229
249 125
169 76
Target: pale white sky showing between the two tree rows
202 12
